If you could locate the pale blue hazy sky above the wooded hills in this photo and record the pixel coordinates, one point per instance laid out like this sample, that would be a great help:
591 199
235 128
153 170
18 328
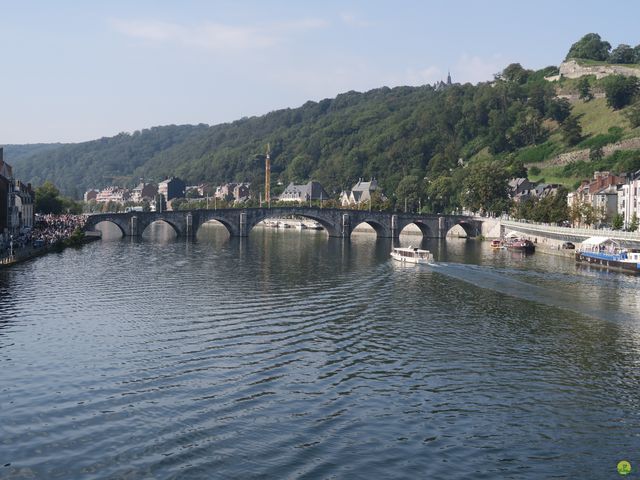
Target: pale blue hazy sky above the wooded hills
74 71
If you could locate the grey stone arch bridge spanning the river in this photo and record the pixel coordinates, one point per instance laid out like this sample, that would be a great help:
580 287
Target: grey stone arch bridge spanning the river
338 223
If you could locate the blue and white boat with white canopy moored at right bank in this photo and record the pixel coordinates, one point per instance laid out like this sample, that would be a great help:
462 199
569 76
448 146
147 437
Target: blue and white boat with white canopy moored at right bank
607 253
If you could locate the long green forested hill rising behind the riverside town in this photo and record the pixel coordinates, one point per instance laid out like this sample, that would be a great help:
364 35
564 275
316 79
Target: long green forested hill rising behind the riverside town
400 136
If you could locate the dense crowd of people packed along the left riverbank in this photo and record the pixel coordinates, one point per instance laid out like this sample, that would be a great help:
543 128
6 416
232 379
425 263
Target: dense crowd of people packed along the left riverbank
47 230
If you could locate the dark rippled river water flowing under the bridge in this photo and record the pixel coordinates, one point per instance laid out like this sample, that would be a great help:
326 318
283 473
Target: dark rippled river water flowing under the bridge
291 355
